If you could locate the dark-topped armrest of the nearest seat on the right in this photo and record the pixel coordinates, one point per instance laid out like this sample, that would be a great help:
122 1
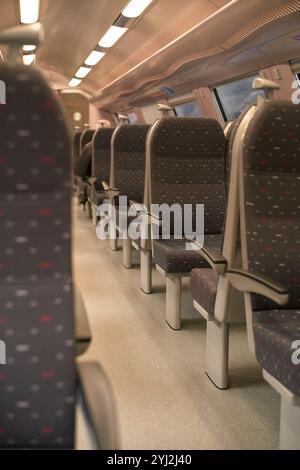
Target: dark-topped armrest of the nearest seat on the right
245 281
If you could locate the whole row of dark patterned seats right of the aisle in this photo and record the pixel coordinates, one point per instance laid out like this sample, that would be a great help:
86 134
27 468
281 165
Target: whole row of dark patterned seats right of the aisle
228 217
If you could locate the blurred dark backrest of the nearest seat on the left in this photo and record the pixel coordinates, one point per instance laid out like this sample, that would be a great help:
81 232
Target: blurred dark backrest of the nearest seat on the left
37 386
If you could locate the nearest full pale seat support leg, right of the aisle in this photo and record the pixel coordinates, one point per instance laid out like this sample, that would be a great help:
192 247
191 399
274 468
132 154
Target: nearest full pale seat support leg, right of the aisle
217 346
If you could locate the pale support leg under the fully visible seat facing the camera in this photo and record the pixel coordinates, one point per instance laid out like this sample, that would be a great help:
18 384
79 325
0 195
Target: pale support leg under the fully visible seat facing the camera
173 302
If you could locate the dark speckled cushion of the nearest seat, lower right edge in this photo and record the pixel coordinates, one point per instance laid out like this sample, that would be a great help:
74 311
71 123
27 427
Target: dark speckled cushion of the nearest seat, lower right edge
275 332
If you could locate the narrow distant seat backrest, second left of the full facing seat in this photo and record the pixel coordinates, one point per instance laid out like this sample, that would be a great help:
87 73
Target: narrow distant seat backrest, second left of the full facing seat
102 155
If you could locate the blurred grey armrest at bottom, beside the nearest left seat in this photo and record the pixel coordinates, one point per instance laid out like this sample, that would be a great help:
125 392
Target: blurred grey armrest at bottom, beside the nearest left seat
98 405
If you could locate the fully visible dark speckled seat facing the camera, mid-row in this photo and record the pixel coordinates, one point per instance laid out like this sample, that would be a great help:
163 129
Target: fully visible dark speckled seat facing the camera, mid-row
187 166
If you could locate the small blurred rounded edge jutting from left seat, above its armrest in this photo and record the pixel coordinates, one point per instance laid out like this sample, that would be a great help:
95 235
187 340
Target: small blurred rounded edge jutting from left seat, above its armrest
82 328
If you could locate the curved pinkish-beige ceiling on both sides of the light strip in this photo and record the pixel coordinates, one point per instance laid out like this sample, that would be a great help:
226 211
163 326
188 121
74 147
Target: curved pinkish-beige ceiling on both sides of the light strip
165 43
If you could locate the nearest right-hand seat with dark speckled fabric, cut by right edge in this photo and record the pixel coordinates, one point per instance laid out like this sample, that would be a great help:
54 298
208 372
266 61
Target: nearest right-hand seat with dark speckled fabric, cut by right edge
269 173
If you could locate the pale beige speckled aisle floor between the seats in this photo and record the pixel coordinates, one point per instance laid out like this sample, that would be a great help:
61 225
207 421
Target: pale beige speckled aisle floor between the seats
164 398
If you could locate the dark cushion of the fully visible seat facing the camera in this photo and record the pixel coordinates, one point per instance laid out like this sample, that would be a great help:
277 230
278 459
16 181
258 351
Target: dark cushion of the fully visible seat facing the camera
172 256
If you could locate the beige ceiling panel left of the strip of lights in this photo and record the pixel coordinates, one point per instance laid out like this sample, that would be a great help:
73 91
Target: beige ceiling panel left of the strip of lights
73 28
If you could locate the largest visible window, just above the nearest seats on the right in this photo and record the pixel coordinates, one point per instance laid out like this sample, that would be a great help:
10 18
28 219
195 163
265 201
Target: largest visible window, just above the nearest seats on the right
234 97
